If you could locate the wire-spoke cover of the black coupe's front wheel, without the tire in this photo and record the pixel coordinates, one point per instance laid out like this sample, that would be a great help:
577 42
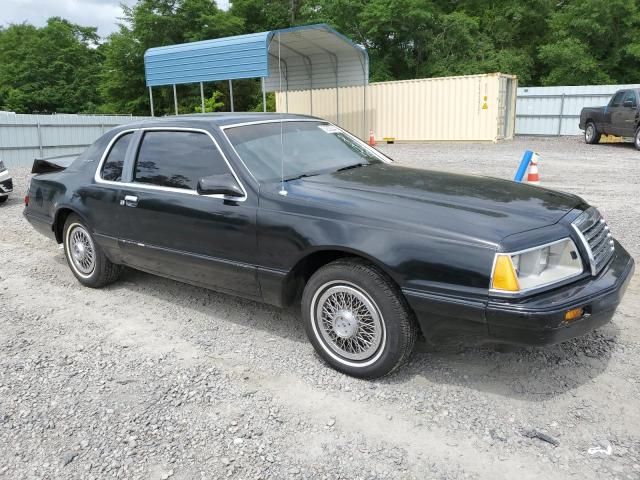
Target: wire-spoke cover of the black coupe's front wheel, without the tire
349 323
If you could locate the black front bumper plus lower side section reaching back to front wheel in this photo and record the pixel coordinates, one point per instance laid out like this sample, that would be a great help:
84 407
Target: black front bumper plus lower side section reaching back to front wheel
533 320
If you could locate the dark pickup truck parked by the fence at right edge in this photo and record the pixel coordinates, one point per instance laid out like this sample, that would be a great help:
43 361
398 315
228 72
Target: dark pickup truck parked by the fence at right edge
620 117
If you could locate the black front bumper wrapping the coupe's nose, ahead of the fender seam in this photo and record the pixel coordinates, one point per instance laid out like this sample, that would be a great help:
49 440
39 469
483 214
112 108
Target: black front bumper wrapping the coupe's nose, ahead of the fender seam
539 320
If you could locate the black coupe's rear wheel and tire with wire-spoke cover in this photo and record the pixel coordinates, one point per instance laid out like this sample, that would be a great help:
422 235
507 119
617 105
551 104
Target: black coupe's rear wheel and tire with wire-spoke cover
86 259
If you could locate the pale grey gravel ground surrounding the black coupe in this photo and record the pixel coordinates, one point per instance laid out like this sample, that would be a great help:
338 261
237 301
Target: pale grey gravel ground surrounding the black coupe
150 378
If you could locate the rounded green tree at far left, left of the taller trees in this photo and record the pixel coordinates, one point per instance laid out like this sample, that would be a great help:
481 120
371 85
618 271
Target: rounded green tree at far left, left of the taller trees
49 69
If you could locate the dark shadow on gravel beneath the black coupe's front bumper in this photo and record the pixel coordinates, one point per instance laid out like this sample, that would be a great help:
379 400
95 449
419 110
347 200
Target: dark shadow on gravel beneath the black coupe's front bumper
533 374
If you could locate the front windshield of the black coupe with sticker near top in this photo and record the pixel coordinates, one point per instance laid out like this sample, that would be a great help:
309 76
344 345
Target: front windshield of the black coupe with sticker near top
307 148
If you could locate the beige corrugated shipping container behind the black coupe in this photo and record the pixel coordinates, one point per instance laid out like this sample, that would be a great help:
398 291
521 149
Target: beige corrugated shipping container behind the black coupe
434 109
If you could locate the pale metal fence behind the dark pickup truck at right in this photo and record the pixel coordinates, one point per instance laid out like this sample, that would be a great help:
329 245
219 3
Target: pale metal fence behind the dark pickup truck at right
556 110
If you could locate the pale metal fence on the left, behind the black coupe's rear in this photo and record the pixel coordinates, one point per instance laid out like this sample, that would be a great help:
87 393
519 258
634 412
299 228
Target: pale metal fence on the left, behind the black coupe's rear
24 137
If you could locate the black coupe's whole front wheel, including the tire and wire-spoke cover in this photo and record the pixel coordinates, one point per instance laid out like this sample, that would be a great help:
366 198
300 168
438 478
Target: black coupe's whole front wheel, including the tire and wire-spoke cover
357 319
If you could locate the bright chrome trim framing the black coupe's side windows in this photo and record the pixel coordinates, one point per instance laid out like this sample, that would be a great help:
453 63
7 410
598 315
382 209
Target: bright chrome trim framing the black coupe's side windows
99 180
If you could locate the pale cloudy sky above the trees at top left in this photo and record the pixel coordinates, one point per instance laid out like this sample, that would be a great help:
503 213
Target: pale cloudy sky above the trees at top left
91 13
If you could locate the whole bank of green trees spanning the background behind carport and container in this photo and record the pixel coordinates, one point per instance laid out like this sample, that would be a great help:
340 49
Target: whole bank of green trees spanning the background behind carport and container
63 67
